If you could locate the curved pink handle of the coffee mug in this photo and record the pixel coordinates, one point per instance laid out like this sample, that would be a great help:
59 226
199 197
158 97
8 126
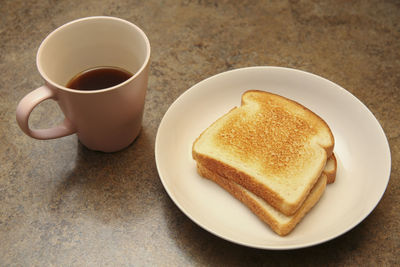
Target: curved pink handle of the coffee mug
28 103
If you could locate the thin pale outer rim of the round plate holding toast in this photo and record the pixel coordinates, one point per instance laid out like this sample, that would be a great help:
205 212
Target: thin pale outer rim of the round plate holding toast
276 247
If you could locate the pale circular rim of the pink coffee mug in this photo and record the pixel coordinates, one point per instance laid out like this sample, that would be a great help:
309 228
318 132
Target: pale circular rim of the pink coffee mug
59 86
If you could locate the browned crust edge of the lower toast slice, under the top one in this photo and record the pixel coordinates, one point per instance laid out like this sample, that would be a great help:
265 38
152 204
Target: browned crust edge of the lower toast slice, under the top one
282 228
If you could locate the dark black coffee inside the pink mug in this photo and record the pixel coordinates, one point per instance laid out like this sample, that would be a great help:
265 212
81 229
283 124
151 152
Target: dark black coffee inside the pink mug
98 78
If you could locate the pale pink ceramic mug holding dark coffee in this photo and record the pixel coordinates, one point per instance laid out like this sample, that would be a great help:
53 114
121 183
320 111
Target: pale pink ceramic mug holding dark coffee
107 119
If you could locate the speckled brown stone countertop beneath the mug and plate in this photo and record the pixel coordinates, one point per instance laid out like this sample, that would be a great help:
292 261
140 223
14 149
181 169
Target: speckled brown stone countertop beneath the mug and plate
64 205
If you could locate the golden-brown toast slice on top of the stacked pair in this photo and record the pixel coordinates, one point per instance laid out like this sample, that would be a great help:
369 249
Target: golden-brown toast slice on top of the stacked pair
272 146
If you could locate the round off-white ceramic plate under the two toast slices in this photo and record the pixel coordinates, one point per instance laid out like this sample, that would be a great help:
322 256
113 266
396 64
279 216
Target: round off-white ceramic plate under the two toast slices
361 149
